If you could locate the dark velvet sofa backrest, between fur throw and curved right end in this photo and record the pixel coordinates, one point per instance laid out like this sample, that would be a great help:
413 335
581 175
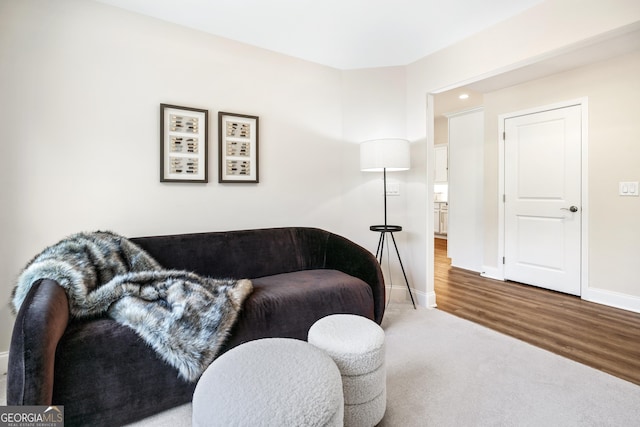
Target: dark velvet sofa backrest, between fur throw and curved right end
240 254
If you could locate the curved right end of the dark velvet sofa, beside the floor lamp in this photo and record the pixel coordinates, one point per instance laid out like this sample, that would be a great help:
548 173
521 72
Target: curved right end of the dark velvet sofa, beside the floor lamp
344 255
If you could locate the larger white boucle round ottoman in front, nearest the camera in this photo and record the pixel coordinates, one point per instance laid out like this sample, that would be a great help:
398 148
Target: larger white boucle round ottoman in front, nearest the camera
270 382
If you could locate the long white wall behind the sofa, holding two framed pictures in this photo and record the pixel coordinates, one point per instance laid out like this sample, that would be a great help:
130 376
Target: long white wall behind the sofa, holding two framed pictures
81 84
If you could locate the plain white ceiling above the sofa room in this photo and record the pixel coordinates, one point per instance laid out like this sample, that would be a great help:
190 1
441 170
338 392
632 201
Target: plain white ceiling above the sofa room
344 34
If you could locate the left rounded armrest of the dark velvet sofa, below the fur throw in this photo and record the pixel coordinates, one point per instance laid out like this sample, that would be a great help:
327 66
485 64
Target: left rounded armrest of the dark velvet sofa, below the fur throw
40 323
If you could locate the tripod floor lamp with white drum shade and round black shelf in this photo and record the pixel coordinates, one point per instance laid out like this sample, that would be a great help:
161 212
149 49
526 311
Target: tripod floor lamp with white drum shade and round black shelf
386 155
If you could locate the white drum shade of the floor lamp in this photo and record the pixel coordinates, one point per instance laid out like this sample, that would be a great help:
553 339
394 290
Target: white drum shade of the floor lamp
391 154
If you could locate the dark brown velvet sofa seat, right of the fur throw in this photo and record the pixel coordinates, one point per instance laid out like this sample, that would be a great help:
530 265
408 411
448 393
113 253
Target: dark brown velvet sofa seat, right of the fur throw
286 305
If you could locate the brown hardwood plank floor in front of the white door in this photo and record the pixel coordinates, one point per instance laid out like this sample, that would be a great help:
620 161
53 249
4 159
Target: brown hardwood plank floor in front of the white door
596 335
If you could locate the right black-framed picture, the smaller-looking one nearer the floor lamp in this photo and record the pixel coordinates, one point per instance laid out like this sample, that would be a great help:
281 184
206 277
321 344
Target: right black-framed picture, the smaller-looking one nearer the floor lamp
238 148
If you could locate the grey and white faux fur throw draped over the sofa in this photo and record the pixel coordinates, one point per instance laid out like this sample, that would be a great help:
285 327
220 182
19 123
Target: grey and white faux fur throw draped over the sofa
182 316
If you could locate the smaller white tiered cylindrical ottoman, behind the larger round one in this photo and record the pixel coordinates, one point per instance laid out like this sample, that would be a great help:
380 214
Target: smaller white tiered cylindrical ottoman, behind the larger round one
356 344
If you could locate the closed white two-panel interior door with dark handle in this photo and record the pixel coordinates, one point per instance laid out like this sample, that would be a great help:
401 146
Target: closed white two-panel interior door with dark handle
542 153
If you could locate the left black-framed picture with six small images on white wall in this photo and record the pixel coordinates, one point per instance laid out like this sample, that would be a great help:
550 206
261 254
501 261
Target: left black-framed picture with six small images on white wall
184 134
